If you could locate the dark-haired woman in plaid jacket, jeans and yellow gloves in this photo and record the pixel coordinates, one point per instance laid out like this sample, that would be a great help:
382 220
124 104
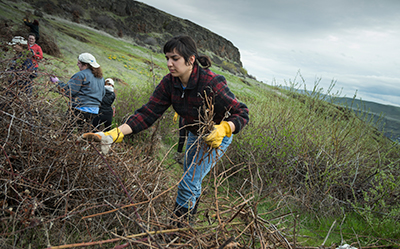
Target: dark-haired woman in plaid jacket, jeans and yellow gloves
186 86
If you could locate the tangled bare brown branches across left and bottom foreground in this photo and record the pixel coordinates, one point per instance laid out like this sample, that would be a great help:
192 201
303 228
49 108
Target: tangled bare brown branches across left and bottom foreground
56 192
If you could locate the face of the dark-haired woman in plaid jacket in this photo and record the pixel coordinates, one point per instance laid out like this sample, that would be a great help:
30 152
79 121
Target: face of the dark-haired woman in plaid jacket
178 67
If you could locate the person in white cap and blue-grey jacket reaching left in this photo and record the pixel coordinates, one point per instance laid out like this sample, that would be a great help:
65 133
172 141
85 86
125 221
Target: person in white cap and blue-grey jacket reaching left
85 90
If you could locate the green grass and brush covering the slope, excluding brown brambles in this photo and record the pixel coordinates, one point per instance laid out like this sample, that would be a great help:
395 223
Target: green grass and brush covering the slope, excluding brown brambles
302 152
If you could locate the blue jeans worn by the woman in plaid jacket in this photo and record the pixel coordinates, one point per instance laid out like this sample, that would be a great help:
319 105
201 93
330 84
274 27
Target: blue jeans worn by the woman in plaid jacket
198 161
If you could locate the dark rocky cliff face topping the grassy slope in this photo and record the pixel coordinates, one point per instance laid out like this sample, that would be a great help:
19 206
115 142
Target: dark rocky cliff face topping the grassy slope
145 24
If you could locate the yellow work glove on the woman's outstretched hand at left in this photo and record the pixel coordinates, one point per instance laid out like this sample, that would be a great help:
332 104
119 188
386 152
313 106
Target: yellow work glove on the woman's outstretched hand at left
105 138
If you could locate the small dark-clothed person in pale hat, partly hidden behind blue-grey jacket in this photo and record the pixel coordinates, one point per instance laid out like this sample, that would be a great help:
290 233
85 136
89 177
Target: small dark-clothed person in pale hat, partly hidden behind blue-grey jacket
106 111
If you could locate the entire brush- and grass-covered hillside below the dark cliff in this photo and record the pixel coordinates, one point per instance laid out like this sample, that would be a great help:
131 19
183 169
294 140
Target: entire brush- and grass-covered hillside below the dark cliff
297 170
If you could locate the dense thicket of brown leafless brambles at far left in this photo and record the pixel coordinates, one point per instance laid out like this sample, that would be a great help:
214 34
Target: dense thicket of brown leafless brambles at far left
49 179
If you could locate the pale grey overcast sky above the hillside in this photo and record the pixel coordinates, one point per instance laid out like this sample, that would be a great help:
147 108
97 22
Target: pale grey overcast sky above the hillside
355 43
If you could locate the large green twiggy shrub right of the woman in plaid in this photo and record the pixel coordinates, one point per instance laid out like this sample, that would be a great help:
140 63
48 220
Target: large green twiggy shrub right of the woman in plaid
318 154
